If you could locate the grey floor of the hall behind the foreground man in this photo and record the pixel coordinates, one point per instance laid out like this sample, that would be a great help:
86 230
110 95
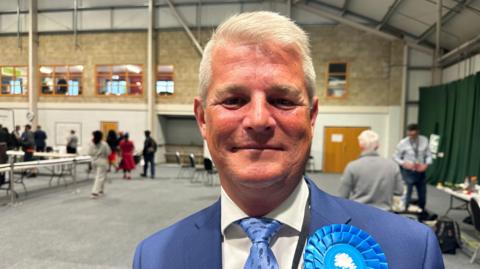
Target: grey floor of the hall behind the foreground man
61 227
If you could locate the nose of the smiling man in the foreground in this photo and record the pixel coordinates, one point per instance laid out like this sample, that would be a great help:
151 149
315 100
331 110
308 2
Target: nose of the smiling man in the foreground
259 117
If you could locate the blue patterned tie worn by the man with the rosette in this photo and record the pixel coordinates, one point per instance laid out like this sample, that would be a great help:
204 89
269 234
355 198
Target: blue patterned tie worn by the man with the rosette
260 231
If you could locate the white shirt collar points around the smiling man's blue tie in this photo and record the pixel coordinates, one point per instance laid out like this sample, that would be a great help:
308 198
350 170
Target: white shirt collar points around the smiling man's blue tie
290 212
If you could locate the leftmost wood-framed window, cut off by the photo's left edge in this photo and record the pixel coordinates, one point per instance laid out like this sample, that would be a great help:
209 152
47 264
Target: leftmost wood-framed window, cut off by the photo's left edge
13 80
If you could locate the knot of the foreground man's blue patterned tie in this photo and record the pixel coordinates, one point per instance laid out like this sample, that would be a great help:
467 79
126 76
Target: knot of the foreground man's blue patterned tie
260 229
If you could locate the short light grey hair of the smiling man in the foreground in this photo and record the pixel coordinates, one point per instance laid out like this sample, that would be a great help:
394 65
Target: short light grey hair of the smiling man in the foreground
262 27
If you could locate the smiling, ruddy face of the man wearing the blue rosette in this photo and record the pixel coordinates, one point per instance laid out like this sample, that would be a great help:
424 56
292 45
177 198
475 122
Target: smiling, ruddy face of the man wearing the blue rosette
257 118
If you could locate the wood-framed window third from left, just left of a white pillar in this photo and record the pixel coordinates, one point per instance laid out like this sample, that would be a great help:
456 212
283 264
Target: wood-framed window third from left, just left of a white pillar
119 79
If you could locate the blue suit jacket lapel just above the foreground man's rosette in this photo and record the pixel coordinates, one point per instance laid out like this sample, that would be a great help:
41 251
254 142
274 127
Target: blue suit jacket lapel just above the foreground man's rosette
324 210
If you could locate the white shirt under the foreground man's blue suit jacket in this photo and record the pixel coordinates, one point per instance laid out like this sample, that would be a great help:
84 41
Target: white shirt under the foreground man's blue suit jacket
236 245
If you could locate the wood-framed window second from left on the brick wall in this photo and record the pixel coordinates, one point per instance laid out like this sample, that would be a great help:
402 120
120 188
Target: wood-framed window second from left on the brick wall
61 80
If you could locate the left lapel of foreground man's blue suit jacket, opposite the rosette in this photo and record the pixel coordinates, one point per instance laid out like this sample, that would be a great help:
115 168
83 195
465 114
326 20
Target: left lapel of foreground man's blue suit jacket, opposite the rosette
204 245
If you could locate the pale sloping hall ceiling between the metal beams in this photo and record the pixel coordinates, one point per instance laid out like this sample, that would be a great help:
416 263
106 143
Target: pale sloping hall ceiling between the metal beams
410 18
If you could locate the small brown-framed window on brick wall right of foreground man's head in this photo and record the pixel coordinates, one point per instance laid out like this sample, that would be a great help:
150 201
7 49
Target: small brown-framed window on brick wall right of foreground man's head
337 80
